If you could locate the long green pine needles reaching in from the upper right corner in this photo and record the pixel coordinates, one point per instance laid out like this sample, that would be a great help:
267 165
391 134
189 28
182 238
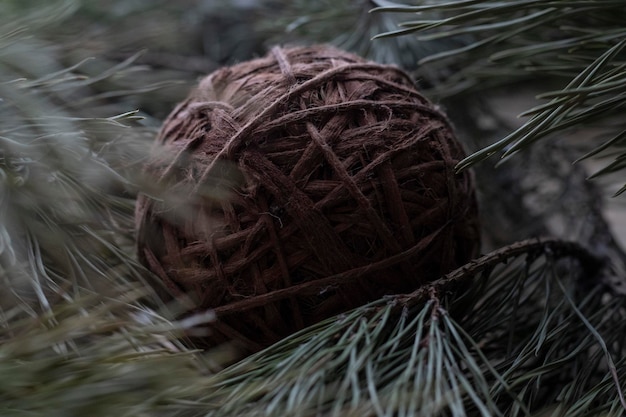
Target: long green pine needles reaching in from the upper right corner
581 42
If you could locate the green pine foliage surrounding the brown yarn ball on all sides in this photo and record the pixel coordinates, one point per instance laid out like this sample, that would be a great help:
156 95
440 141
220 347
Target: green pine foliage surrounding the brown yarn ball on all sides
534 328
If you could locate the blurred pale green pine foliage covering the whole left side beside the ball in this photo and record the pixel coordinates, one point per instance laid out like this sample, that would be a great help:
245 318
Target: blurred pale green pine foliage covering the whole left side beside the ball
76 337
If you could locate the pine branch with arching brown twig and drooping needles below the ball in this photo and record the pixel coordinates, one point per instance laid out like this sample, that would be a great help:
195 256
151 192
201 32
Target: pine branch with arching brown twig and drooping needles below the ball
502 347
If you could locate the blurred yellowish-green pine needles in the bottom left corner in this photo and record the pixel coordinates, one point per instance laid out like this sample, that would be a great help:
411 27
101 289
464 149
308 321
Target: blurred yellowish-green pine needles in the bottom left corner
97 356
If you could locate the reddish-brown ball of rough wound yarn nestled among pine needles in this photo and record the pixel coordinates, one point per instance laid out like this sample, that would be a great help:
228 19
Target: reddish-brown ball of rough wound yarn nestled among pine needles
305 183
